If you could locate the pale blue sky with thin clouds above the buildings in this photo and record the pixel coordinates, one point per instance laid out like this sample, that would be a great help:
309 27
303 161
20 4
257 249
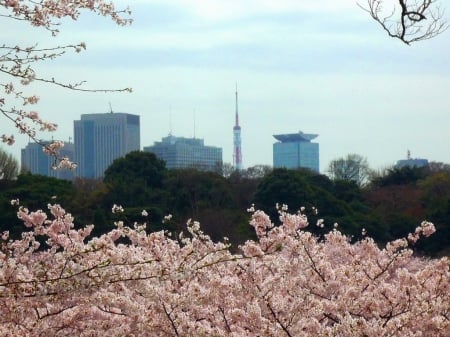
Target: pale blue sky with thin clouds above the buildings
322 67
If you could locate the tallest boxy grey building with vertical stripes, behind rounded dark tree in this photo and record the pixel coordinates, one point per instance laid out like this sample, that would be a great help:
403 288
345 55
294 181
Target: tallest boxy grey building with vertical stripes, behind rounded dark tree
101 138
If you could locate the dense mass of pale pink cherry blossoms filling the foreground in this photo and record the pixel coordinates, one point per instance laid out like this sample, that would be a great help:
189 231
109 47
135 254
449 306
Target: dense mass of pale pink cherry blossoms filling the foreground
58 281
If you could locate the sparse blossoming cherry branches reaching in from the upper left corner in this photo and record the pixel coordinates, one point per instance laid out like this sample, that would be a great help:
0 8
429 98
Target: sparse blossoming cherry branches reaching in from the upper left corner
17 62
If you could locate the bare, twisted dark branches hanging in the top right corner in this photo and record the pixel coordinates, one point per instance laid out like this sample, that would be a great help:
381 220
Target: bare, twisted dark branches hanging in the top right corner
408 20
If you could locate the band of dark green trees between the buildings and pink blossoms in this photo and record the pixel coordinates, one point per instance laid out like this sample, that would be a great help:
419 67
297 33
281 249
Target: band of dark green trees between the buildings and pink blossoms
390 206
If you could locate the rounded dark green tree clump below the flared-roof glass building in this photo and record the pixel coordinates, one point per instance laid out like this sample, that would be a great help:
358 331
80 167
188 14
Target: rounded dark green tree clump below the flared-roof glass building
317 194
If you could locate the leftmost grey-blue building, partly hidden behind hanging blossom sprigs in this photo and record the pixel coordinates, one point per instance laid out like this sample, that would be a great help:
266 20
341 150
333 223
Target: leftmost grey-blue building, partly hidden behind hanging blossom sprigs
36 161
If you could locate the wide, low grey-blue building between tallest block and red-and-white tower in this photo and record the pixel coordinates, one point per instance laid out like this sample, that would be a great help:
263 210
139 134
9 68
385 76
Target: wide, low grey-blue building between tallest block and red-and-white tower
180 152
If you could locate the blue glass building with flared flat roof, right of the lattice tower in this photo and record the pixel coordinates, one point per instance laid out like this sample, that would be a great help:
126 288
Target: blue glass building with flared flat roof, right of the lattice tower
296 150
